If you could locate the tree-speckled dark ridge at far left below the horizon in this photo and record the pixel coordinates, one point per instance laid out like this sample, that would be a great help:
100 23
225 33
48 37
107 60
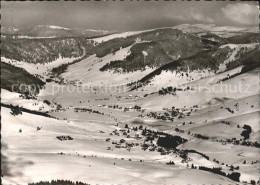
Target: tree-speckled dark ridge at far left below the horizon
44 50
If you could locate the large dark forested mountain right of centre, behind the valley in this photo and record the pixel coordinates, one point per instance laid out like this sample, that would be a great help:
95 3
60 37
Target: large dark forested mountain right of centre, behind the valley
161 46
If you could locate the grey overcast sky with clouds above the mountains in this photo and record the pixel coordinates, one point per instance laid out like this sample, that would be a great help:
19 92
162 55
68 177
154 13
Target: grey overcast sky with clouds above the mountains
128 15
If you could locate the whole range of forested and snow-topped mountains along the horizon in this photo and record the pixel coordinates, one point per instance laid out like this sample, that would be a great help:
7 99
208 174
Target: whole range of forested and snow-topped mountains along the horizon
149 48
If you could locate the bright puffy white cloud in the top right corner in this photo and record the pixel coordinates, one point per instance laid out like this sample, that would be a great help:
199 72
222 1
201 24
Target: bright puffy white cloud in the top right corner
242 13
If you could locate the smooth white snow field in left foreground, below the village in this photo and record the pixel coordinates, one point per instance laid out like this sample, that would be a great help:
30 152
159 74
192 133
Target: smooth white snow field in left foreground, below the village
33 155
